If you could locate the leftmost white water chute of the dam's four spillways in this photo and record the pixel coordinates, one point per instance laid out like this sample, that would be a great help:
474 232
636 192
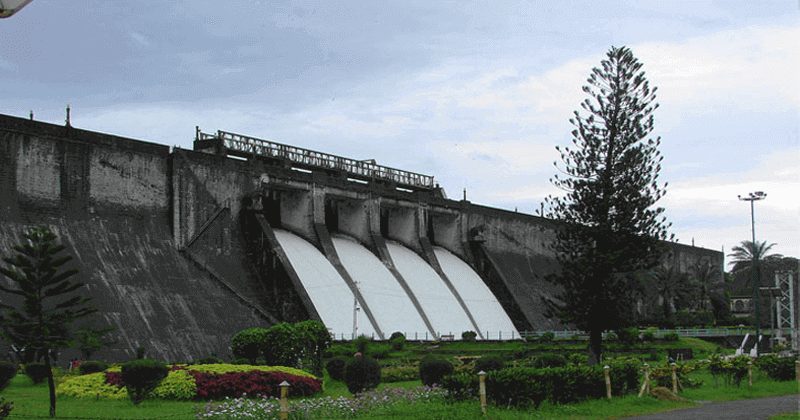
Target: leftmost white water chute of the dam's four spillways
328 291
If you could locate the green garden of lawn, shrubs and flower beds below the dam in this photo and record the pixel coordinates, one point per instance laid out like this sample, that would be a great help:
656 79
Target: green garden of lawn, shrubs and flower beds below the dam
539 378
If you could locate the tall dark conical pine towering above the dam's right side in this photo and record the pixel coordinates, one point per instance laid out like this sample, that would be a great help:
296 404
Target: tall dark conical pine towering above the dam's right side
610 184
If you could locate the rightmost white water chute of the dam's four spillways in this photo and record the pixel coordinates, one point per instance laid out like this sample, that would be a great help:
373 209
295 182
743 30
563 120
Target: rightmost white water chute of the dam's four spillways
481 302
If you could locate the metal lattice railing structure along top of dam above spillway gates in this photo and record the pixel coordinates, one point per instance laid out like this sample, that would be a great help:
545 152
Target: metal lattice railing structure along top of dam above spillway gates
245 146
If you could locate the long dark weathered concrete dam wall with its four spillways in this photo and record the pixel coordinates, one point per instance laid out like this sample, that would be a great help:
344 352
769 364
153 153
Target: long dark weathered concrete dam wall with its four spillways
182 248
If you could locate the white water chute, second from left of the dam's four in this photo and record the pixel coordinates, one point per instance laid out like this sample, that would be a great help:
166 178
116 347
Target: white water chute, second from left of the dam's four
387 300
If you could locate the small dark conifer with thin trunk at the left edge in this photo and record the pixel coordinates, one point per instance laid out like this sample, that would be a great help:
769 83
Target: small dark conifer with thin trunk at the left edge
48 305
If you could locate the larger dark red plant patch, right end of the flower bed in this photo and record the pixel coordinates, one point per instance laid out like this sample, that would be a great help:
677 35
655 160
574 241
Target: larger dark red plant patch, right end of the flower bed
235 384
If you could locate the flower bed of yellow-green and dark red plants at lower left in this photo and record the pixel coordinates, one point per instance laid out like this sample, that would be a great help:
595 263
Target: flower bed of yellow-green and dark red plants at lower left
213 381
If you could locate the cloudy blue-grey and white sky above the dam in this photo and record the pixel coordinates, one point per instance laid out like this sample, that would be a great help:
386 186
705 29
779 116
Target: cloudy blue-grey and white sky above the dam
477 94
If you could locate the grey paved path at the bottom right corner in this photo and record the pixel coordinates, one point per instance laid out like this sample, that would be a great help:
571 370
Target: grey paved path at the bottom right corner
757 408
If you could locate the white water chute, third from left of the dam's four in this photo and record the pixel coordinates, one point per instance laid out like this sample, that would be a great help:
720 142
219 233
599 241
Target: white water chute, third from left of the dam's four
440 305
